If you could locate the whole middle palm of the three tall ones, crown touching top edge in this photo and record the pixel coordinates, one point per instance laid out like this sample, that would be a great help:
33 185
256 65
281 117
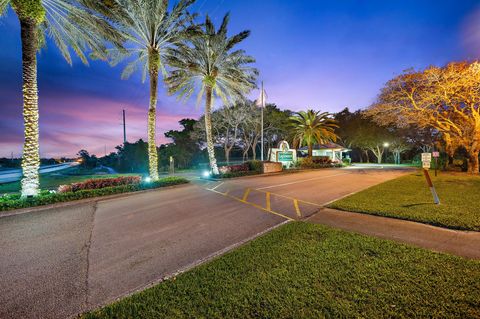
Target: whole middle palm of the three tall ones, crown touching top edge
150 29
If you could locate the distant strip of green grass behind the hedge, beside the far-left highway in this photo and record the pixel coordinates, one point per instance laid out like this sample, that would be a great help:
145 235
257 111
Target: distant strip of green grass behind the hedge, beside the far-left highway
51 181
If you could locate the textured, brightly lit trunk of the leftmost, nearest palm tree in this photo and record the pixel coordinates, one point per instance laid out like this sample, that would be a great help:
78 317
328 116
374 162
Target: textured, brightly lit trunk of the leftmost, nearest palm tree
31 157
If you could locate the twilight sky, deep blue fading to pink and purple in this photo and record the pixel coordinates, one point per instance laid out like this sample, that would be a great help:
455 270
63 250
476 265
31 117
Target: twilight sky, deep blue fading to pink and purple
311 53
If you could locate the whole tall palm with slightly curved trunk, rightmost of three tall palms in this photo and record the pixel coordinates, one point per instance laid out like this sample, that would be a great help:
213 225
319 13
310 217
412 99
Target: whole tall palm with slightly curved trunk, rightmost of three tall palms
207 64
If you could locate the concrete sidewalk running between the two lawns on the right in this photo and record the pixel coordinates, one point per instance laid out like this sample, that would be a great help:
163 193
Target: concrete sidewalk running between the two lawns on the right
461 243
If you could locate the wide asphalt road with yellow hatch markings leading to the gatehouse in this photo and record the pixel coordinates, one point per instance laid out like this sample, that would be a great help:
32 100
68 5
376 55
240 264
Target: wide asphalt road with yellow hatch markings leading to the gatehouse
59 262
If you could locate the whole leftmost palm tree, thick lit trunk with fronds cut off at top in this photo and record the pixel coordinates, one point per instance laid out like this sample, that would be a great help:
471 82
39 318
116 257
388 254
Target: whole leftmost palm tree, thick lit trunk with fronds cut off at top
70 24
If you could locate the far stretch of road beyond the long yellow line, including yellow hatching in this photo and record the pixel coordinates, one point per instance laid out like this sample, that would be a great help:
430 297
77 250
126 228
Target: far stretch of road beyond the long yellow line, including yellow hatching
299 195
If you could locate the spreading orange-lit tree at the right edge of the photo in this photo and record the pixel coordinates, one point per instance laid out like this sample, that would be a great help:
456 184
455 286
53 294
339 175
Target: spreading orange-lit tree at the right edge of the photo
446 99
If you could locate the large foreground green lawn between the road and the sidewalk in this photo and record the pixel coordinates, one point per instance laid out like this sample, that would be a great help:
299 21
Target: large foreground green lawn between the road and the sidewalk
311 271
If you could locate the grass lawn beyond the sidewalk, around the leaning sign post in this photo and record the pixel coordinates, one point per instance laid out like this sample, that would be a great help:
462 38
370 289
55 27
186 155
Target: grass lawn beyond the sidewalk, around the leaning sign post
409 198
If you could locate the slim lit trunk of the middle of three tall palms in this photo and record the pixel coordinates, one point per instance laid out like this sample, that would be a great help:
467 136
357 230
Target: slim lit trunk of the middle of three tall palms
152 116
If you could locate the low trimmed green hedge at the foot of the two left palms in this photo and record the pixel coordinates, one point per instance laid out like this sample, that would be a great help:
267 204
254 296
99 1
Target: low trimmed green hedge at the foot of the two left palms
9 202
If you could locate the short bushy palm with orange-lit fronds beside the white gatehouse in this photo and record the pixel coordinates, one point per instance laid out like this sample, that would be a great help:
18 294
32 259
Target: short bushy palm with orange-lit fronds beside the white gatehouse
312 127
